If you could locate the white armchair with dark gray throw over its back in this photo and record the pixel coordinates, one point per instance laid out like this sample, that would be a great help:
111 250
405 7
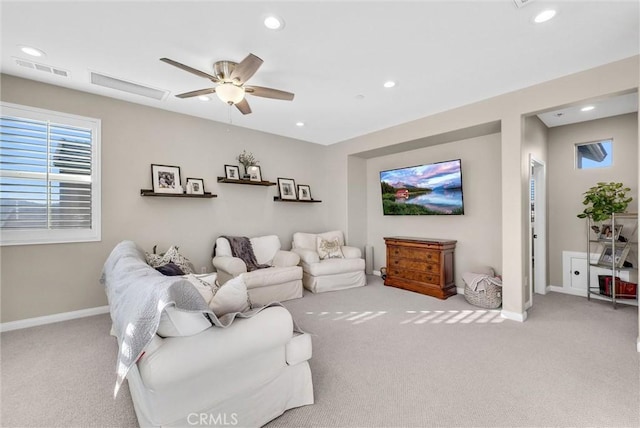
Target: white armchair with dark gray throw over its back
277 283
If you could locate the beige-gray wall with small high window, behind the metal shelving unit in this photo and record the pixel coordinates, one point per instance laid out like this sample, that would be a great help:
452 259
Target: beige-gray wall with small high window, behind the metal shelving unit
567 184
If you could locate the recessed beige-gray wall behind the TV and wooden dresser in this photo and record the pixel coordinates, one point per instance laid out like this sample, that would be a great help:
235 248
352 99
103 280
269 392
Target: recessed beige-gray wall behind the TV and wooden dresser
477 231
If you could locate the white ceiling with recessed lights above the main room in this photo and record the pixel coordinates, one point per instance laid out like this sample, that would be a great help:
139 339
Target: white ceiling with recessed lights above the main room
333 55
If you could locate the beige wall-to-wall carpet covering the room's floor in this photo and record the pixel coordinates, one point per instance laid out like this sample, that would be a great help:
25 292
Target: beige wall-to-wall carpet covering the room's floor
382 357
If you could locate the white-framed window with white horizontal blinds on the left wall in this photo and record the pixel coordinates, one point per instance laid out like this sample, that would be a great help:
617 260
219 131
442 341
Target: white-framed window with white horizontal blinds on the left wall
49 177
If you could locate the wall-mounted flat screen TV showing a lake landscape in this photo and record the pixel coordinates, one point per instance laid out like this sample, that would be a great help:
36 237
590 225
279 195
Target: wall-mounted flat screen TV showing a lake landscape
430 189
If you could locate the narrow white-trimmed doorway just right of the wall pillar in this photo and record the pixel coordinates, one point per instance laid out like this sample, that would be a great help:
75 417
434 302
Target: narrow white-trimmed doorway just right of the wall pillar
537 230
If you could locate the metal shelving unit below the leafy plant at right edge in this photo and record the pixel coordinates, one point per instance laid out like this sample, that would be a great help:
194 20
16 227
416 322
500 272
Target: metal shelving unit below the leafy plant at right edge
614 251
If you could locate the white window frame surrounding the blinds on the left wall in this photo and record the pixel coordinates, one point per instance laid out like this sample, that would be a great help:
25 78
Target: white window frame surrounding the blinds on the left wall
60 236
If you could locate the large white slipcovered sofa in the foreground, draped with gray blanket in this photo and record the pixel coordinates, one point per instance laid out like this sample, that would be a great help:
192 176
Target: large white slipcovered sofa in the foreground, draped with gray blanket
201 375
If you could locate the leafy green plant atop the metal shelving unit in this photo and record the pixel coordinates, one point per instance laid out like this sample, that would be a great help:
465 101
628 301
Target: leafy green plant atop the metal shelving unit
605 199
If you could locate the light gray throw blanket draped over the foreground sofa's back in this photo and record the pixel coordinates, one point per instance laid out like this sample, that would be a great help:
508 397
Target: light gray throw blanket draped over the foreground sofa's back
138 294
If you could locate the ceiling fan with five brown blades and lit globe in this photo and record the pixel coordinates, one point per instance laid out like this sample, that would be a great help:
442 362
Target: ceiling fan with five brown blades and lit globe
231 78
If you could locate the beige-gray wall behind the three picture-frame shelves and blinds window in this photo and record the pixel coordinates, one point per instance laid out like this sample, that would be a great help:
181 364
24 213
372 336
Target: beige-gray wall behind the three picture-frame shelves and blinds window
40 280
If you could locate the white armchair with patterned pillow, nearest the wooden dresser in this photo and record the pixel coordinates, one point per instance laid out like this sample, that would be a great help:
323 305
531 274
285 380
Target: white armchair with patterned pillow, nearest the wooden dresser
327 263
